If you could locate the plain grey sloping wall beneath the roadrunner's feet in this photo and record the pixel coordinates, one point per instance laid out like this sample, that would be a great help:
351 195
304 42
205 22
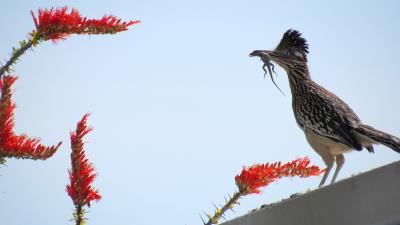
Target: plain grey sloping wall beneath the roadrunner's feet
371 198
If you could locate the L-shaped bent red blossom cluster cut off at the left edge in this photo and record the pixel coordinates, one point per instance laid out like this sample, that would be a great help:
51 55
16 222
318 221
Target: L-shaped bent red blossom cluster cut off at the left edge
17 146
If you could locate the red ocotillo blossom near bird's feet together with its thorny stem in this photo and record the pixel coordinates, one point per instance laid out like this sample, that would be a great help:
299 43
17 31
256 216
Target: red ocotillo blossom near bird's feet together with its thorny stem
252 178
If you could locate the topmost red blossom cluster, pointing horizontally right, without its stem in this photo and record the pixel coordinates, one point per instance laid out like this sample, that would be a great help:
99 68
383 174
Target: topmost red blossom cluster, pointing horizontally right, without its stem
55 24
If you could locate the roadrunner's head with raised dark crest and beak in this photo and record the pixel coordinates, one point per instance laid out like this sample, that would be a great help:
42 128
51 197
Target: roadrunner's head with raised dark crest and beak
292 48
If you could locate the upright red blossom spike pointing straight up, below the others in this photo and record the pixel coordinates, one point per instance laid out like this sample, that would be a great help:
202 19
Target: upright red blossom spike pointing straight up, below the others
82 172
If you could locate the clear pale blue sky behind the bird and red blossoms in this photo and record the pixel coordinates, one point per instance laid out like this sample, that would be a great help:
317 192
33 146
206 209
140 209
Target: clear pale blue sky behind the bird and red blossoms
178 106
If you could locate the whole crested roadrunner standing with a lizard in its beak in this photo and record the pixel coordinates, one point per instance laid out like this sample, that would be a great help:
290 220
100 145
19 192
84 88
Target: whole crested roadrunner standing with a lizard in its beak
329 124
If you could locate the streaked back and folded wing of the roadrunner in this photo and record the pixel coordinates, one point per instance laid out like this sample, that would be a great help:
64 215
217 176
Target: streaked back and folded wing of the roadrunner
322 112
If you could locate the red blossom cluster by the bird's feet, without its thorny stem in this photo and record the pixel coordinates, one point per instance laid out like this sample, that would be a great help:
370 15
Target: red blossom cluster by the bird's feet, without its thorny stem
252 178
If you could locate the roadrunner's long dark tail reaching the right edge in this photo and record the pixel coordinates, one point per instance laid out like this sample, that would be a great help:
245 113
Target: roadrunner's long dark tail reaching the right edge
380 136
